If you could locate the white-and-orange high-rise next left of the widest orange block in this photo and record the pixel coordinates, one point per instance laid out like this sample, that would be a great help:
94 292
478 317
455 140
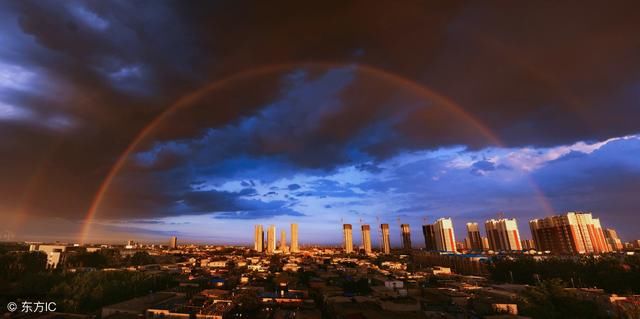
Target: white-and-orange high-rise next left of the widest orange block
503 234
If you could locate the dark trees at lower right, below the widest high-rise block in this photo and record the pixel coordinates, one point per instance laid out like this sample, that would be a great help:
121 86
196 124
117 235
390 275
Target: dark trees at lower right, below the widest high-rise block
614 274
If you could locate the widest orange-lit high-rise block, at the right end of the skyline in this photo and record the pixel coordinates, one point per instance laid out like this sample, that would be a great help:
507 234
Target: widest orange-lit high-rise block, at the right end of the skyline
573 233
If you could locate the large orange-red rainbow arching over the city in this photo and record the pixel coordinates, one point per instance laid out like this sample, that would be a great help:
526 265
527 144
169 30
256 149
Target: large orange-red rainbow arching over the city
194 96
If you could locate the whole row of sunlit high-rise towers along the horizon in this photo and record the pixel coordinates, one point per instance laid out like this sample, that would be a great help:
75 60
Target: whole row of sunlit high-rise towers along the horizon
572 233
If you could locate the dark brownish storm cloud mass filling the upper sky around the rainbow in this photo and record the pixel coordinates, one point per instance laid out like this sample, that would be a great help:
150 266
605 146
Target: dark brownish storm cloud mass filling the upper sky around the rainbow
103 70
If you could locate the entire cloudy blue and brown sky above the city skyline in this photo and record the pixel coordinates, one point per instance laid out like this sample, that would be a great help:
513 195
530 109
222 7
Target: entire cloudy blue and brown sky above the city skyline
143 120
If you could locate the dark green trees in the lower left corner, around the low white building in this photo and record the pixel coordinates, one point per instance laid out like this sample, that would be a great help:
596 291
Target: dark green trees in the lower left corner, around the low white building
24 276
